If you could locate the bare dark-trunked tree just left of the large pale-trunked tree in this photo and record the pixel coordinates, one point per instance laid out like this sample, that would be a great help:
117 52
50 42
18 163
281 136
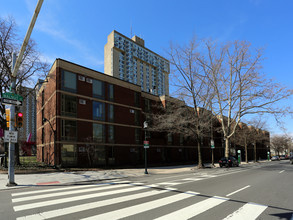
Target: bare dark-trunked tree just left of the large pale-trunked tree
186 115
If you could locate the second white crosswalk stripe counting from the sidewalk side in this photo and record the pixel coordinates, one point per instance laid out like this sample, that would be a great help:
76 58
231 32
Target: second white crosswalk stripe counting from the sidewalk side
43 196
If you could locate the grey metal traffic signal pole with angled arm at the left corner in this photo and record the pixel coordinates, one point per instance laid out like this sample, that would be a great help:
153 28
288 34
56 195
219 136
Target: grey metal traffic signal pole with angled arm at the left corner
15 69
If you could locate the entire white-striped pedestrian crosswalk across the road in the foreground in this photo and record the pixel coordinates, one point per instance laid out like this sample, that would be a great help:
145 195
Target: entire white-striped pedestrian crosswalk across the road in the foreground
133 199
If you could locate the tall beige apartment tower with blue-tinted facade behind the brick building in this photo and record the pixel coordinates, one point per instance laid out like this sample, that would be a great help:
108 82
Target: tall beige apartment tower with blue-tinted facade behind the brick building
129 60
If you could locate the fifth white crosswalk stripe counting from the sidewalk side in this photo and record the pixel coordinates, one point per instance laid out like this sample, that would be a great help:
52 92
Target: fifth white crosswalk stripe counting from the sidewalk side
136 209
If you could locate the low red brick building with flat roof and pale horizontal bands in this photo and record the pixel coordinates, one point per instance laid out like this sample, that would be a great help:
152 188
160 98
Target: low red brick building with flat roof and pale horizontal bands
88 119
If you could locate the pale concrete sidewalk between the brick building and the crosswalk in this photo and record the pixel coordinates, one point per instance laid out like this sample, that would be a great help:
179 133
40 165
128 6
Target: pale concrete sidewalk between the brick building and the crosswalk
57 178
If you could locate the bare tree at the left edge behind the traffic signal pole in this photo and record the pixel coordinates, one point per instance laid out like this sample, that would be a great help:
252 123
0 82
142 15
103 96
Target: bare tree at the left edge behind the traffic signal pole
31 66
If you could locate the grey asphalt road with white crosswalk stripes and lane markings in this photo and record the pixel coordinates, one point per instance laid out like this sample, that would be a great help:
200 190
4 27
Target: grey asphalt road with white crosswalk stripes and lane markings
258 191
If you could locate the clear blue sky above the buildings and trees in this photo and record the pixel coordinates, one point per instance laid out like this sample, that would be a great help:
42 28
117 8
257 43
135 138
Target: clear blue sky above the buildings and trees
77 30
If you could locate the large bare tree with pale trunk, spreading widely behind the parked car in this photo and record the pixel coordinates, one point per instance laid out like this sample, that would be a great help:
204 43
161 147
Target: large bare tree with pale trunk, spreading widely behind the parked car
232 72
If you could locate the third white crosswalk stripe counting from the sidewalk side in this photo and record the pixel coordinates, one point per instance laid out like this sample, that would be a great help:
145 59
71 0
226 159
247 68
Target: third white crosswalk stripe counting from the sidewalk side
76 198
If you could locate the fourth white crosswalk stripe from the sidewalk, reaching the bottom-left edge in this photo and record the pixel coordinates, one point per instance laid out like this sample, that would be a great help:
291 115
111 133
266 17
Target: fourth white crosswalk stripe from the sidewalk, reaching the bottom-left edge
88 206
